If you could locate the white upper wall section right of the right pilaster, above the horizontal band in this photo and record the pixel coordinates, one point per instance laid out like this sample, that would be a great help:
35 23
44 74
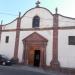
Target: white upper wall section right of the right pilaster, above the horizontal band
63 21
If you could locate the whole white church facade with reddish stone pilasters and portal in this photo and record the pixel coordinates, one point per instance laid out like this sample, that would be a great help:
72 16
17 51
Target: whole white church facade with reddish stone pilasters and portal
40 38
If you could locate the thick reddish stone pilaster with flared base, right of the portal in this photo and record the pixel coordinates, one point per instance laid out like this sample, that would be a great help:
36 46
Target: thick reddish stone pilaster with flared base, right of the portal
55 63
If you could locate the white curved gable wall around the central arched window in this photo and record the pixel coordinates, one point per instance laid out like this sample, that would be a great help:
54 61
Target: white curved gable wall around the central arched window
46 18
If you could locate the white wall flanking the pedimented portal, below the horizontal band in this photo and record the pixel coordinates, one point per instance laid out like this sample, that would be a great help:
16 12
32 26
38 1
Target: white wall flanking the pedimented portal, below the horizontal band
46 34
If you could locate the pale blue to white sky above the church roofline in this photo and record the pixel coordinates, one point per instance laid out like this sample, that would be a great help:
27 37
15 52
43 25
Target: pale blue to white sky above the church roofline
9 9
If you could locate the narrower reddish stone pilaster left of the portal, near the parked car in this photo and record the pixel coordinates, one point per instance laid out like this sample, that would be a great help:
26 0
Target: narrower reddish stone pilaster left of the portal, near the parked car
17 39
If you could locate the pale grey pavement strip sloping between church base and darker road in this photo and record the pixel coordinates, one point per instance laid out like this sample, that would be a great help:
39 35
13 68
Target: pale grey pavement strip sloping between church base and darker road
34 69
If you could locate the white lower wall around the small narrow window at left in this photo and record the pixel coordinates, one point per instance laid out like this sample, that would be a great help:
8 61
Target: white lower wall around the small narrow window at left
7 48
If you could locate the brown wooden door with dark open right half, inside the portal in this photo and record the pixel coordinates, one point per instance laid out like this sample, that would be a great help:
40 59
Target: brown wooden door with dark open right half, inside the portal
34 56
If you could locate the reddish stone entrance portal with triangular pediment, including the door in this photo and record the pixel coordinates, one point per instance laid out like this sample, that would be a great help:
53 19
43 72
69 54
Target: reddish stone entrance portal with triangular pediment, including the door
34 50
